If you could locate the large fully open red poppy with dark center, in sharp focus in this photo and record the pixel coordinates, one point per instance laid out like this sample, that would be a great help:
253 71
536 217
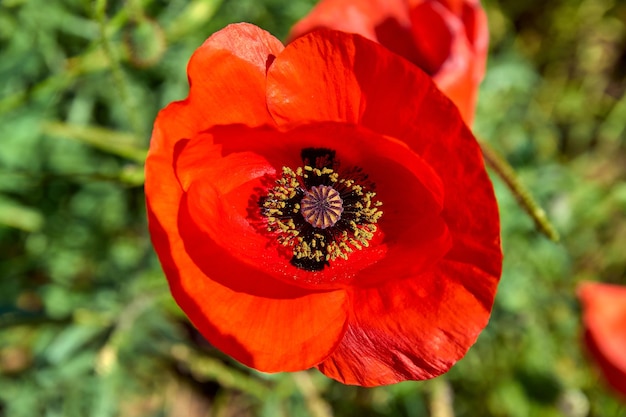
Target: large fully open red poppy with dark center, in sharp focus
323 204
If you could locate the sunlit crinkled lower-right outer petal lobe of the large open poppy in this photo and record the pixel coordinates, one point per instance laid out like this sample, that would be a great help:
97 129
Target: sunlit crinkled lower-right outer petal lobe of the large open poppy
412 329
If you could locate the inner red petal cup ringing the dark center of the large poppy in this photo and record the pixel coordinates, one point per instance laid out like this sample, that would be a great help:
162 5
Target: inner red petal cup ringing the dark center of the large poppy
226 171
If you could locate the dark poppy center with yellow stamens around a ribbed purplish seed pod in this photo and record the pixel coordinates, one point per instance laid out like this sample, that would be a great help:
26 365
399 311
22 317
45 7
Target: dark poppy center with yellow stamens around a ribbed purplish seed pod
319 214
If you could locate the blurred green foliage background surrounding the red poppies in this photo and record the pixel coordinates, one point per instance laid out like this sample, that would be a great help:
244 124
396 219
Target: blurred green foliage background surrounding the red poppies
87 325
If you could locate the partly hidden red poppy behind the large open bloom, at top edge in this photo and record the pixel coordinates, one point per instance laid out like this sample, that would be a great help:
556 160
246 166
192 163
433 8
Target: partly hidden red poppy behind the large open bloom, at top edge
448 39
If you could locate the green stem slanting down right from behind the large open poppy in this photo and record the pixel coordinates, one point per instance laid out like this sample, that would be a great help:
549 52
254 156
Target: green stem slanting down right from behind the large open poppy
521 193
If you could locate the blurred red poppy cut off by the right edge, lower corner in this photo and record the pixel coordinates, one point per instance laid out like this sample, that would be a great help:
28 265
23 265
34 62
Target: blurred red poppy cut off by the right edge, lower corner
604 318
